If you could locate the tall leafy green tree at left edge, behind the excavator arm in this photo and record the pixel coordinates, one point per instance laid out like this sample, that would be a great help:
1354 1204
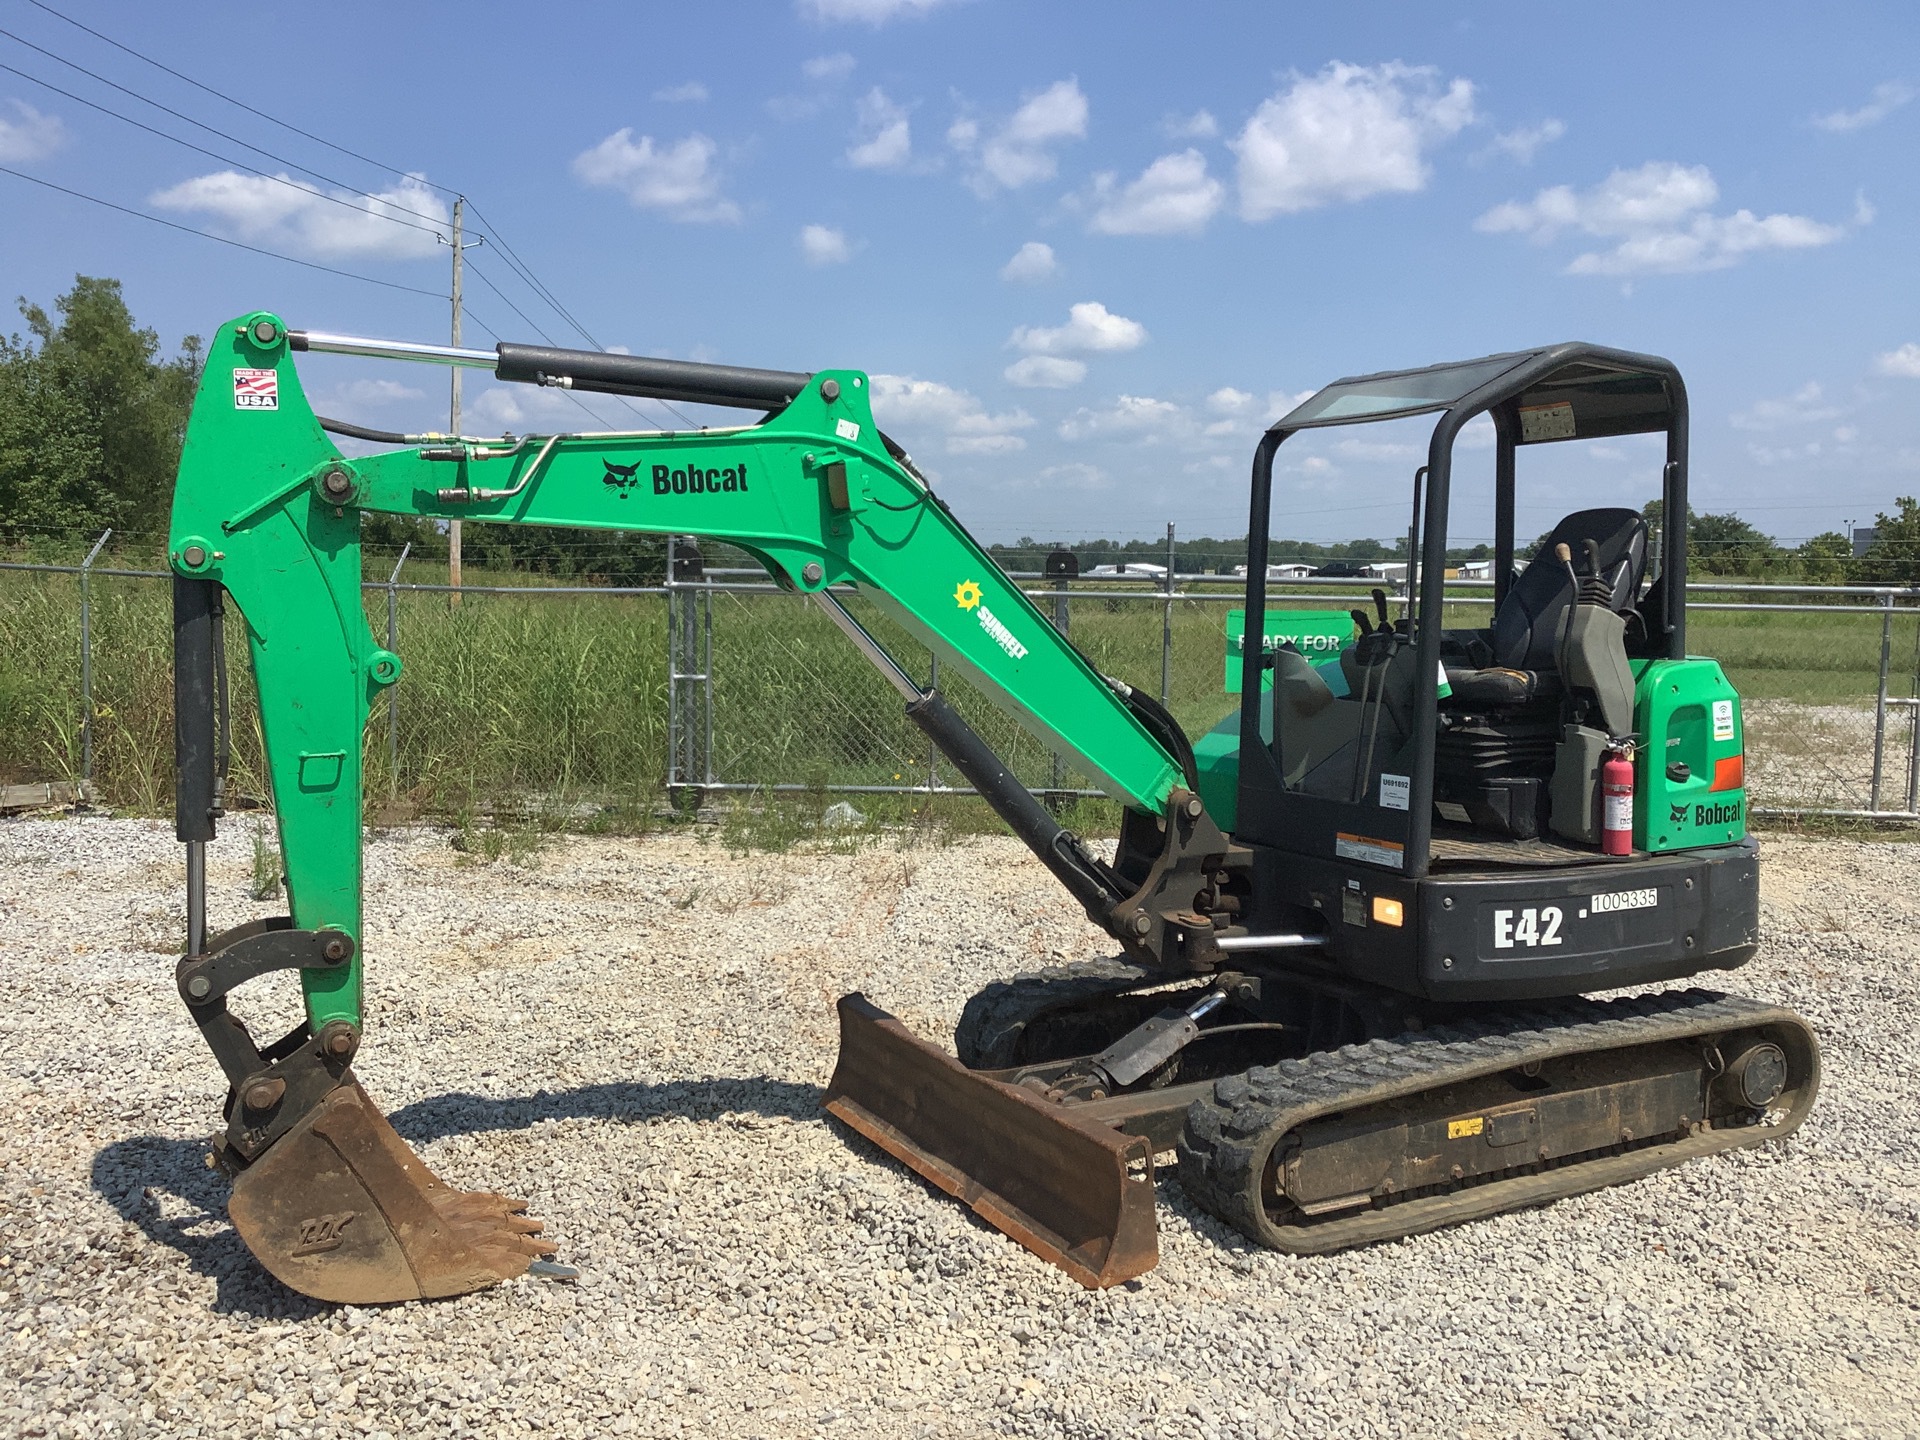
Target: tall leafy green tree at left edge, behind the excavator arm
91 421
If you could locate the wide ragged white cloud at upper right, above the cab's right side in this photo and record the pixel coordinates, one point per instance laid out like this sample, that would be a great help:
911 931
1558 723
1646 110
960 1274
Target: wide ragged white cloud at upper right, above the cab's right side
1660 216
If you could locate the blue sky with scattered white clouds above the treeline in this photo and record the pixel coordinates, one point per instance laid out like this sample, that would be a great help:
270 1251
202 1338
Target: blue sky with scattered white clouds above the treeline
1088 251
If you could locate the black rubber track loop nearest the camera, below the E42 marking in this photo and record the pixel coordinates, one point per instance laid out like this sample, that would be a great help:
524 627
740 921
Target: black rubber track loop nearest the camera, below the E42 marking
1230 1138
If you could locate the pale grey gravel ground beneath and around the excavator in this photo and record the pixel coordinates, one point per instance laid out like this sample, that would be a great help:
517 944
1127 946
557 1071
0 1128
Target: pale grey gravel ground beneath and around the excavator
635 1036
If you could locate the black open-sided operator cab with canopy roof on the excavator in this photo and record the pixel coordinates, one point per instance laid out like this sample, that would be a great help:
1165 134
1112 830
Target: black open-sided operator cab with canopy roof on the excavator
1439 736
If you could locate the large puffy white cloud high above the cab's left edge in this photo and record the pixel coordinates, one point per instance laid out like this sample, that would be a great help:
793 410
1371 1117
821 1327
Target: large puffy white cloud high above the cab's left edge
1347 133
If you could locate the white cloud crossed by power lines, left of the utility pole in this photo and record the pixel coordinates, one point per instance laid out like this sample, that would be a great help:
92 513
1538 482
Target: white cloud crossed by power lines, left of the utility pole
299 216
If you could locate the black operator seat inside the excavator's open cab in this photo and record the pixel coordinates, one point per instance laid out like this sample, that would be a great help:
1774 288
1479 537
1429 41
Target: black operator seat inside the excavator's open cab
1527 627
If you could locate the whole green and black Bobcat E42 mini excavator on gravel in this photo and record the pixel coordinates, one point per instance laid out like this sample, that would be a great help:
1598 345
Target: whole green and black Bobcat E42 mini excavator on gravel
1355 924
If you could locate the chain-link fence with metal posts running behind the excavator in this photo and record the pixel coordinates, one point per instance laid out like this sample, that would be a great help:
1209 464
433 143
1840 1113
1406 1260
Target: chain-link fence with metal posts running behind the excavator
531 696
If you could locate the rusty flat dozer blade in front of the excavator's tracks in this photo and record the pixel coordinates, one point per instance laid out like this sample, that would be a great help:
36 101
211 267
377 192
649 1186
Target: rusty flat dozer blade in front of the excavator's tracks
1072 1191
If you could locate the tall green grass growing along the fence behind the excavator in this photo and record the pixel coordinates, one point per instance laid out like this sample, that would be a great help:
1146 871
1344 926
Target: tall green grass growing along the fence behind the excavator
533 713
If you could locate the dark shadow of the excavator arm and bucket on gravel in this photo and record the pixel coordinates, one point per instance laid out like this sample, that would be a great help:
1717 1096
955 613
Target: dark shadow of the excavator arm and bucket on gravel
166 1188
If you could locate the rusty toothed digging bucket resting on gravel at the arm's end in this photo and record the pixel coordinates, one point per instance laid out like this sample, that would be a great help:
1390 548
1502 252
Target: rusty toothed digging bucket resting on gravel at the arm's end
343 1211
